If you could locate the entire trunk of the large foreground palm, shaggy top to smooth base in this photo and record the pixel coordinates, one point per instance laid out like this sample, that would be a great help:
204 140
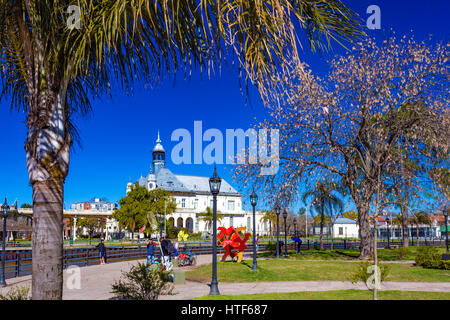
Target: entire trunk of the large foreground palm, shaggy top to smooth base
48 152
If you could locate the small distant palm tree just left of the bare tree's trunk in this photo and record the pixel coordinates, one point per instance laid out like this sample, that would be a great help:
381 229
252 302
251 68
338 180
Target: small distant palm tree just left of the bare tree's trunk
323 201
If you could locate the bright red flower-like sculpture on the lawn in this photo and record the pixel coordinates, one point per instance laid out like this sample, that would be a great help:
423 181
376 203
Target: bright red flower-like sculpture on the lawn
233 241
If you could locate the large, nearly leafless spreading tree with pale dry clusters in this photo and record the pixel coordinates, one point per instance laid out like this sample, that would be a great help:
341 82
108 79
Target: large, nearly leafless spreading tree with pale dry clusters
347 126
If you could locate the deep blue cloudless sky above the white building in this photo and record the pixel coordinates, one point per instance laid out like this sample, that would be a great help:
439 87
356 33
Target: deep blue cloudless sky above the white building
117 138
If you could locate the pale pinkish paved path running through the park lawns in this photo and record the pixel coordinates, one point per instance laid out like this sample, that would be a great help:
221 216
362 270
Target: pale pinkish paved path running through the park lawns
96 284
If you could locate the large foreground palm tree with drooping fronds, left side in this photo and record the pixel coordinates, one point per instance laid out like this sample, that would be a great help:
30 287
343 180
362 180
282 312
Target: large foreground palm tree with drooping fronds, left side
57 56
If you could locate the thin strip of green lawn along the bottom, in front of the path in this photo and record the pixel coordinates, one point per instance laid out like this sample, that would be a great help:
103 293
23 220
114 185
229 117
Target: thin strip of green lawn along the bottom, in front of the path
335 295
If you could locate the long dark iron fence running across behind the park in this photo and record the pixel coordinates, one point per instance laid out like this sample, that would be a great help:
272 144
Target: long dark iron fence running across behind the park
18 262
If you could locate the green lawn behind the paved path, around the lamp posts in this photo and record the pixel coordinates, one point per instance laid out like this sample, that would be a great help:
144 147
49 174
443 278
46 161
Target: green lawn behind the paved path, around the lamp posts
300 270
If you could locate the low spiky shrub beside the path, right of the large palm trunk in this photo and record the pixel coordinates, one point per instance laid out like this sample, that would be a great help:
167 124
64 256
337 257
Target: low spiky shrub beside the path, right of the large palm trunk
142 283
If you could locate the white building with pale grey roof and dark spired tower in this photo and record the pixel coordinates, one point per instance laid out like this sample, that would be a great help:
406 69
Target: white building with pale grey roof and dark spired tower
192 195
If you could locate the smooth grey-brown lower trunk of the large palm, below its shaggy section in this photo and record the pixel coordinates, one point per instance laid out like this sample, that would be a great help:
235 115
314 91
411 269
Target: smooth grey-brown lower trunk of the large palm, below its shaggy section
47 253
